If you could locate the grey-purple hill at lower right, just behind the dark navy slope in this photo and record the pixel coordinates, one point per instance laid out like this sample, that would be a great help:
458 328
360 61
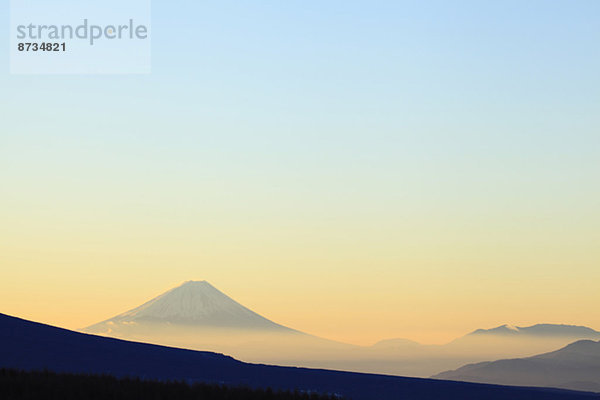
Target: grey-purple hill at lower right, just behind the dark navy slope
576 366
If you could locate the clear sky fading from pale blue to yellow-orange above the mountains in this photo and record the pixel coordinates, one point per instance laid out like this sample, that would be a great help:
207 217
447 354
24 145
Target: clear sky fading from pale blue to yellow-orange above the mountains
356 170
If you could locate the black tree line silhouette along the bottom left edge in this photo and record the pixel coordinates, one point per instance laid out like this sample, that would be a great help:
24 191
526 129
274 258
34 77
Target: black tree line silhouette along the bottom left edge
20 385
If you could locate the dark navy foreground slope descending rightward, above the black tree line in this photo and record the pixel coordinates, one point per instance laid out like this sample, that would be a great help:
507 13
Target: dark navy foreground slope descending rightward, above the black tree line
27 345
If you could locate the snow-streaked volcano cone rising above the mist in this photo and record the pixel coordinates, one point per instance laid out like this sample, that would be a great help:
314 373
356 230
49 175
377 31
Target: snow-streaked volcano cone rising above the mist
194 304
